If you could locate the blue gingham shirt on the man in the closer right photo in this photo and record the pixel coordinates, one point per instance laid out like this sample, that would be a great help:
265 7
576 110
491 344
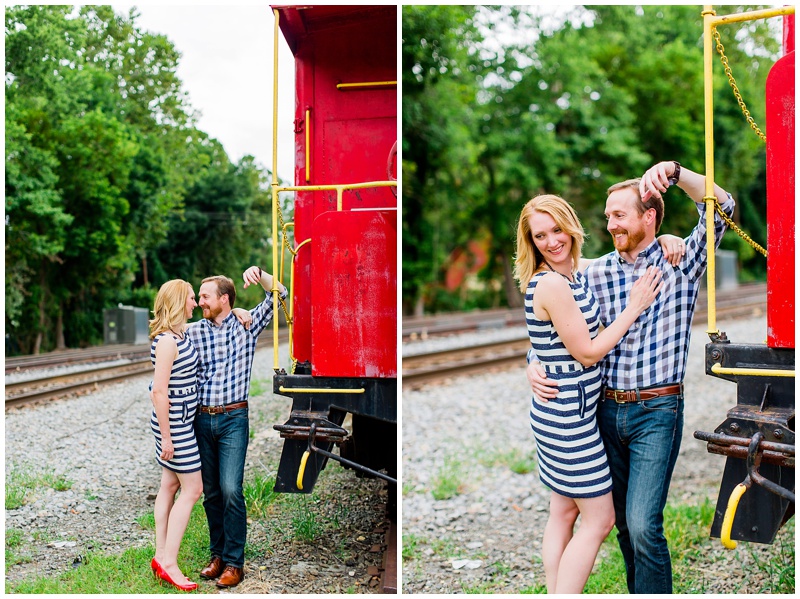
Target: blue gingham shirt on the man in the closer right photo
654 351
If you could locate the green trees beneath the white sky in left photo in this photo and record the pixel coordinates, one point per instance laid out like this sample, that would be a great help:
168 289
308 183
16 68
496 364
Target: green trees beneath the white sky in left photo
110 189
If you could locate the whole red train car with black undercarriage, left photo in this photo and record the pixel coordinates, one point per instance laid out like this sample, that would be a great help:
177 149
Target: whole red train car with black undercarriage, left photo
344 286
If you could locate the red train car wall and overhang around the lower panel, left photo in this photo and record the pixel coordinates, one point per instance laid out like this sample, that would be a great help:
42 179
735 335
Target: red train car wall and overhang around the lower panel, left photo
351 132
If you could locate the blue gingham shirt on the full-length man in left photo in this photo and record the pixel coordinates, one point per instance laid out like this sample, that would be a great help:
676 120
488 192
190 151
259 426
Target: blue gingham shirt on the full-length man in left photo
226 355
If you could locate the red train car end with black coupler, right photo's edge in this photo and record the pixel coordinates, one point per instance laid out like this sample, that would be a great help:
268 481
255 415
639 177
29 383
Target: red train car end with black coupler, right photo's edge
757 491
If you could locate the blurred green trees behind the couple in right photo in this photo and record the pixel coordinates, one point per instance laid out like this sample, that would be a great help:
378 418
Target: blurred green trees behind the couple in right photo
570 110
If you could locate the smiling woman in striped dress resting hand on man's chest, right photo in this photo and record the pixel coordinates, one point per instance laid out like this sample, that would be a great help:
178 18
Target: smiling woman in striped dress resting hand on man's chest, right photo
563 324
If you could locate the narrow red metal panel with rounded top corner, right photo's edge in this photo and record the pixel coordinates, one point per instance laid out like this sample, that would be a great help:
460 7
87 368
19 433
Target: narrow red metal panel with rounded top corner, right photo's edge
781 203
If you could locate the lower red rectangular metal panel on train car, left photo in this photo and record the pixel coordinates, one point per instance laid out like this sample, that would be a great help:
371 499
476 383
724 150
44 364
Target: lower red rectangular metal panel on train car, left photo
354 293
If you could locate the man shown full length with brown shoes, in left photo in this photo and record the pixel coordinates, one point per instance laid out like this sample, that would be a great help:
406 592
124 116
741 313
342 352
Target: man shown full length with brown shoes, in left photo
226 352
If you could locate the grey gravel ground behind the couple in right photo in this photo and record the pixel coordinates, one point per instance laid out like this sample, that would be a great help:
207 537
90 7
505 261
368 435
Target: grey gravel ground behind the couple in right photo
467 433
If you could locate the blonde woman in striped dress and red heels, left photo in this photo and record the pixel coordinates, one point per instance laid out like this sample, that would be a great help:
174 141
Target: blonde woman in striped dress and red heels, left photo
174 396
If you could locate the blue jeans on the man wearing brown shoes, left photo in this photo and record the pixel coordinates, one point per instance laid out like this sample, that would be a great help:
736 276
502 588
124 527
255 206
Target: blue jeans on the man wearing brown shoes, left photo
222 440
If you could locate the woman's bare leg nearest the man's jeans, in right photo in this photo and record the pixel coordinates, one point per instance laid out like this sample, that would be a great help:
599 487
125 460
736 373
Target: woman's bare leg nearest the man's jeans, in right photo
597 520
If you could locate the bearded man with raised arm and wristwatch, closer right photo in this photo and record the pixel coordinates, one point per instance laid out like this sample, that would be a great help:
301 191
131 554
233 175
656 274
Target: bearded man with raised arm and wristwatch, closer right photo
640 415
